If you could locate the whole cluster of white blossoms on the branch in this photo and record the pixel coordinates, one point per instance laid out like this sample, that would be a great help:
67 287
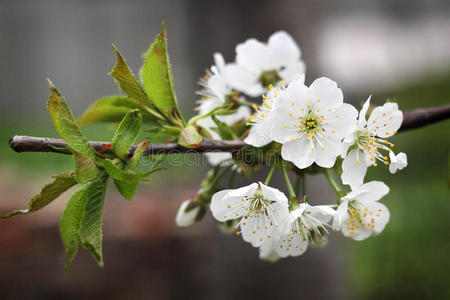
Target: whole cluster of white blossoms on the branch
312 125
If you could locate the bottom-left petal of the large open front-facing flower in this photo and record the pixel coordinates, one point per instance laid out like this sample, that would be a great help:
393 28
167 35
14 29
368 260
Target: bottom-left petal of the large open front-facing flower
298 152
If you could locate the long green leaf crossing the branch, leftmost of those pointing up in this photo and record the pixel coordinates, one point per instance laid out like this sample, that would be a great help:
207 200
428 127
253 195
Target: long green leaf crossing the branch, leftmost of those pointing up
68 129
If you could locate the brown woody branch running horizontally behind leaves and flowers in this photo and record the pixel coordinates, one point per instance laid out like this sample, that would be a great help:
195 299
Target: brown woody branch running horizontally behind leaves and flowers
412 119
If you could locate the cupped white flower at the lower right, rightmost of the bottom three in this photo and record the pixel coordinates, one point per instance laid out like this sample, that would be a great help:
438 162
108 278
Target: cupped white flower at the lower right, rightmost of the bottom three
360 215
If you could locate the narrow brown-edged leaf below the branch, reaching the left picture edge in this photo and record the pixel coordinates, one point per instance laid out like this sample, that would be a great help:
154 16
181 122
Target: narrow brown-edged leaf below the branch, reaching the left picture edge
49 192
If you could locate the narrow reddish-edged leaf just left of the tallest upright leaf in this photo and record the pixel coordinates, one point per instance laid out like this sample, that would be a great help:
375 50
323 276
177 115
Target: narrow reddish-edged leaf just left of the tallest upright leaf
128 84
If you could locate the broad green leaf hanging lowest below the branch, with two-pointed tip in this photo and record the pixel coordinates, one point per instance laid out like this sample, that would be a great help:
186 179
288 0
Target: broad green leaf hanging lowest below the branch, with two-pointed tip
81 222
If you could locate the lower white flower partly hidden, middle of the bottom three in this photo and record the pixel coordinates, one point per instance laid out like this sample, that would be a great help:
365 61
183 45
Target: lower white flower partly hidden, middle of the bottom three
306 225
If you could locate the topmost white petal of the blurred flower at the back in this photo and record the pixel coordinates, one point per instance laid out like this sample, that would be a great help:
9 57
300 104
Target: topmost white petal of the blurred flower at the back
284 48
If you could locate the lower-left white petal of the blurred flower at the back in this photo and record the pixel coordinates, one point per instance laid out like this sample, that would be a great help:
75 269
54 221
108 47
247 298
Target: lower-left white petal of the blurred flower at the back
243 80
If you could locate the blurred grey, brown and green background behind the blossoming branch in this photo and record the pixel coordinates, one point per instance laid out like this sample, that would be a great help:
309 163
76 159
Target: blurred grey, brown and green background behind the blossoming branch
385 48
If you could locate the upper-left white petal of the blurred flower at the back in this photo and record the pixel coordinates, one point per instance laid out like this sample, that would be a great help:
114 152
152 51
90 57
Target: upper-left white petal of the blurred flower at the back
254 56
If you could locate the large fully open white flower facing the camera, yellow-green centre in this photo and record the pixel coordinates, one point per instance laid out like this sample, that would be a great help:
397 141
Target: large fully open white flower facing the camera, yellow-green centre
311 122
